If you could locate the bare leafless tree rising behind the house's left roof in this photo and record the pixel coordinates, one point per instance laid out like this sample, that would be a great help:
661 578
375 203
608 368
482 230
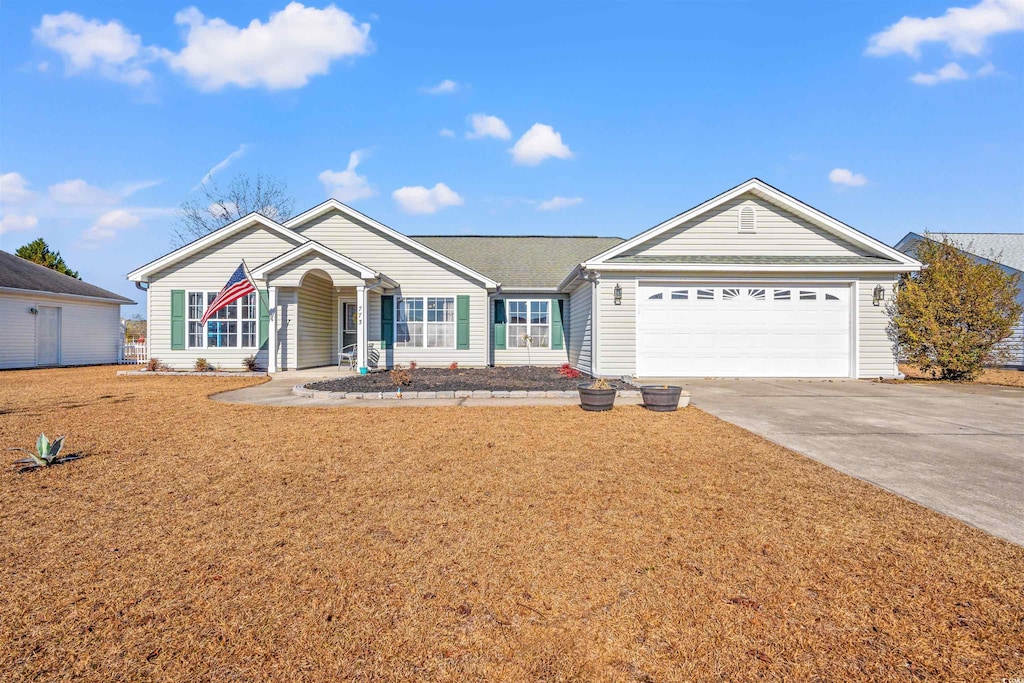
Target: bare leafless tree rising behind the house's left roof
219 206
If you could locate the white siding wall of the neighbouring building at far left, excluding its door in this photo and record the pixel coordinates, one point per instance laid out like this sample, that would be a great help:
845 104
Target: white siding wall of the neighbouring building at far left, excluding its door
91 331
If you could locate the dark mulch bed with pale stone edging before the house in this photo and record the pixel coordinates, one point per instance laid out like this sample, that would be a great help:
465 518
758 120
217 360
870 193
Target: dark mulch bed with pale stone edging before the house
442 379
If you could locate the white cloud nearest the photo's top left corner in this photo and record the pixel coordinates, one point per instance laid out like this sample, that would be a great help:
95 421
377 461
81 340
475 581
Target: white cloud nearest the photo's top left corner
88 46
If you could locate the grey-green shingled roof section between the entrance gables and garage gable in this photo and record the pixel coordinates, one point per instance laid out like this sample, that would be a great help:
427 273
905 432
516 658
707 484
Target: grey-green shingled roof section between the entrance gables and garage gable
521 263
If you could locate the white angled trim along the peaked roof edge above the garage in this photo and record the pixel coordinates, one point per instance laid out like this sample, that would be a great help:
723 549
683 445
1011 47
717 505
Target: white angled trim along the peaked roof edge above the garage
778 197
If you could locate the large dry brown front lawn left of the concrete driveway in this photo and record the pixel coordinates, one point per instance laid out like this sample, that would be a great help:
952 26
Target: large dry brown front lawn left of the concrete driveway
207 542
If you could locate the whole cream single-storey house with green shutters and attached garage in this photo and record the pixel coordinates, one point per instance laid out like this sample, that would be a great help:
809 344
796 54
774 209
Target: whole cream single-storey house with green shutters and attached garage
750 283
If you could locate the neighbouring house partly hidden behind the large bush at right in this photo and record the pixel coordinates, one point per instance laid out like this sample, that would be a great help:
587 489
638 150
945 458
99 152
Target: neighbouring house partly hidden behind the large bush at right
1005 250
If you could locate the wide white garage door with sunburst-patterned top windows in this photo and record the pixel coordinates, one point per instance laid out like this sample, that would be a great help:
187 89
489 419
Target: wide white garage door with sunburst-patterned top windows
718 330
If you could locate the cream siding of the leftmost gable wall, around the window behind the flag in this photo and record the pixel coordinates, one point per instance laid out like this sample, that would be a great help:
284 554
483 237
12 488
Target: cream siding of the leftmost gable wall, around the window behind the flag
208 271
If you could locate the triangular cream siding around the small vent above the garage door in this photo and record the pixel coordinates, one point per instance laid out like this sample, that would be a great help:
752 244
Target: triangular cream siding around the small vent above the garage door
715 234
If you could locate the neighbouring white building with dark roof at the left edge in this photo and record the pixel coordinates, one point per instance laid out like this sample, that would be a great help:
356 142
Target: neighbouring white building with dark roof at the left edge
51 319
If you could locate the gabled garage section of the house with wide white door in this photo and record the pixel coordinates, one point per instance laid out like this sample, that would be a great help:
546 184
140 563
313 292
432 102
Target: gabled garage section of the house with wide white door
752 283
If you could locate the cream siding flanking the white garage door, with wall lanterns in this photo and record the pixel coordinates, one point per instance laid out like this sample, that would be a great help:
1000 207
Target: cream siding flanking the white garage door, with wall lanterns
617 325
